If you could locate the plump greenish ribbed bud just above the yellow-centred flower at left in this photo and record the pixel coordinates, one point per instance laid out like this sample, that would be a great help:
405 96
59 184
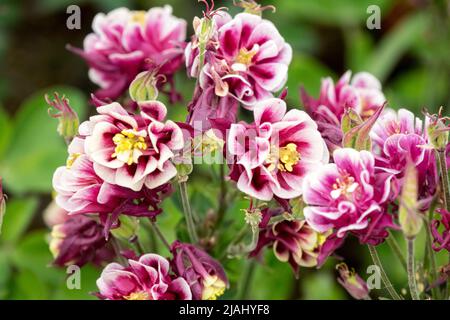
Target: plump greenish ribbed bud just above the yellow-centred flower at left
145 86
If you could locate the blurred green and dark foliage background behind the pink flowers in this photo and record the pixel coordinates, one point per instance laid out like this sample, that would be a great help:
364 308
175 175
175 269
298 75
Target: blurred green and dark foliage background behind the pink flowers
410 54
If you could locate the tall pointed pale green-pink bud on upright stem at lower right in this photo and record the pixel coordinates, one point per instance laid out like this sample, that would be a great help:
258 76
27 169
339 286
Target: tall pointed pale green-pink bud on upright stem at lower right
409 216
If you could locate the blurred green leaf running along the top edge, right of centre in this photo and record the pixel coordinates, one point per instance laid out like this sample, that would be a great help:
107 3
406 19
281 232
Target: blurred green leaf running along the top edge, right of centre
332 12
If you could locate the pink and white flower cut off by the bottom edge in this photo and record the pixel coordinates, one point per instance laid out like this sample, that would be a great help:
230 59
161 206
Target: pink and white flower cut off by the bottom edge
147 278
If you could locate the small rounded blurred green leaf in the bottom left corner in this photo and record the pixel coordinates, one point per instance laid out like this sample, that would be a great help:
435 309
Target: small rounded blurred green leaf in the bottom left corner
28 285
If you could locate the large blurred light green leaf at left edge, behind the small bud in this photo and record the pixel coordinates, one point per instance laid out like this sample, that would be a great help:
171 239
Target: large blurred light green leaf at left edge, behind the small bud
37 149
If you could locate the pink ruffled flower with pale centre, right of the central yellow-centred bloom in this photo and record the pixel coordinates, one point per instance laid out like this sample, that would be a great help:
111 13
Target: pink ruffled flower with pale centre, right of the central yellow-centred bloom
348 196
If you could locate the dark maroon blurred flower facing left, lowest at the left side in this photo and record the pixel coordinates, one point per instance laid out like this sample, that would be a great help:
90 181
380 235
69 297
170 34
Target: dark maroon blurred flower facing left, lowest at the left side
79 240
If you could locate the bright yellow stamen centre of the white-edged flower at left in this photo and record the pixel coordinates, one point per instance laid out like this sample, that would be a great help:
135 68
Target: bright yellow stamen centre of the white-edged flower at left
129 146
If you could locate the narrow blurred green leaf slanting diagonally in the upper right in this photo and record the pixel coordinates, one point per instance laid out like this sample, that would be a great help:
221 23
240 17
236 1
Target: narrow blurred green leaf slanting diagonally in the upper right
391 48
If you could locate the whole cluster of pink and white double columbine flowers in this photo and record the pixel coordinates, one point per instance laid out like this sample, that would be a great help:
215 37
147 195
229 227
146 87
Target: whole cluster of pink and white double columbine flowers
342 161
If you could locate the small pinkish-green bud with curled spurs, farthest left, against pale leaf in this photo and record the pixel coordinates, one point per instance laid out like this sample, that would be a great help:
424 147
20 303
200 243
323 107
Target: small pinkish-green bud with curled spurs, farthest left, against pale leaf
68 118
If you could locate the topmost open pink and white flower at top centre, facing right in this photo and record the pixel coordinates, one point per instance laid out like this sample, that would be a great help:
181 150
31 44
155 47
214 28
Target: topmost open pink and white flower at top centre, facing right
246 58
